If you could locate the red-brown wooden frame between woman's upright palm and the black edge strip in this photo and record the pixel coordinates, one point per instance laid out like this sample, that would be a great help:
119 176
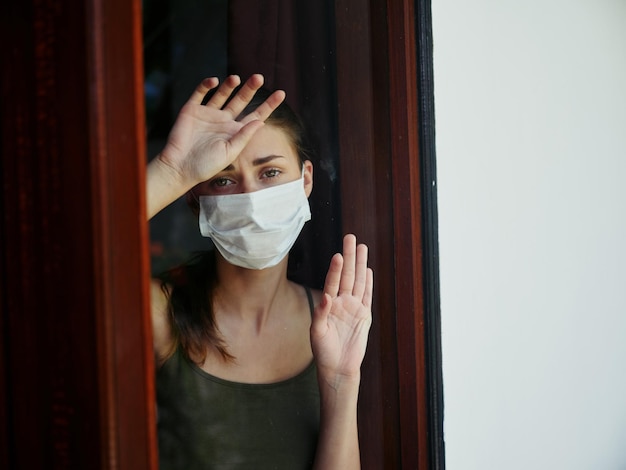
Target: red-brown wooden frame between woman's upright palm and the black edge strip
380 193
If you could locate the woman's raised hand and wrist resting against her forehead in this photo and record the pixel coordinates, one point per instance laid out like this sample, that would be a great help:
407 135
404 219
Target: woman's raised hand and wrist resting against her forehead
206 138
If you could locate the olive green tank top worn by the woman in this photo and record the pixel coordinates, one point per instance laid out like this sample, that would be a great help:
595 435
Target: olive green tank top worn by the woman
205 422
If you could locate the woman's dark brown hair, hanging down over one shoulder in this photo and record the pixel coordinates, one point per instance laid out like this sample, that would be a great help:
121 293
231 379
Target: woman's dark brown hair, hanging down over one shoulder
190 287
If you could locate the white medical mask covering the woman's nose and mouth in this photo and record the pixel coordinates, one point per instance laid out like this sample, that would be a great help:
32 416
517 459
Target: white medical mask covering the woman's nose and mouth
255 230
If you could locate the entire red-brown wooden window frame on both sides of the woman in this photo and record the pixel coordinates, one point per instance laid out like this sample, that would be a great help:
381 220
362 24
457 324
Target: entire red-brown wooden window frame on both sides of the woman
74 291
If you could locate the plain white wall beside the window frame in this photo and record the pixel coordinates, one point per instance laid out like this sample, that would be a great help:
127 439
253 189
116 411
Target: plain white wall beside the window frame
530 100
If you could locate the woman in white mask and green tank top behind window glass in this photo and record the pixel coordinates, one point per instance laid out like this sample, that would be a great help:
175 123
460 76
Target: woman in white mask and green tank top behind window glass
255 371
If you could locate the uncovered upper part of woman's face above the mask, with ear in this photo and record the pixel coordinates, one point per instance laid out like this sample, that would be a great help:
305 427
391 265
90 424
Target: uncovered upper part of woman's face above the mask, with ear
269 159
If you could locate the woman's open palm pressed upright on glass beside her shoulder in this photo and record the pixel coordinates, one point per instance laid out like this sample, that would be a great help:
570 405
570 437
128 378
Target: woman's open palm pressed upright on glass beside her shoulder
342 320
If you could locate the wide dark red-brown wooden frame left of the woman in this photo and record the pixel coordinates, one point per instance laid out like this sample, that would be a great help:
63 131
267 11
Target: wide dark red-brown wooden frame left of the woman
76 357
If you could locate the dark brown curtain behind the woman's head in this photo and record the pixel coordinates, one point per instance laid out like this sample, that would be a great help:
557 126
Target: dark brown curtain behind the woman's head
292 44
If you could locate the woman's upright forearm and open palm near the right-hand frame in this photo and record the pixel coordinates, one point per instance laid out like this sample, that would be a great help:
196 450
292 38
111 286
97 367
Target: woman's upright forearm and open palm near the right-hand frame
339 335
